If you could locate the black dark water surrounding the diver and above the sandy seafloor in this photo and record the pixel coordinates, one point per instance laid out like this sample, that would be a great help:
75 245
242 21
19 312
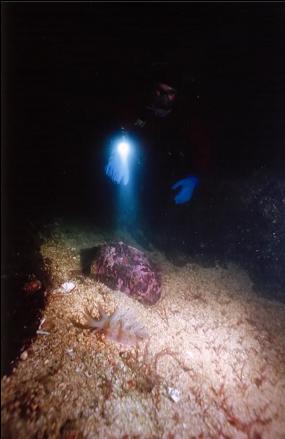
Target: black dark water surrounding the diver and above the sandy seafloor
67 71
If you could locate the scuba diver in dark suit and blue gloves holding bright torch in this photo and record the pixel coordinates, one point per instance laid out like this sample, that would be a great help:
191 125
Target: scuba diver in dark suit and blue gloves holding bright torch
174 154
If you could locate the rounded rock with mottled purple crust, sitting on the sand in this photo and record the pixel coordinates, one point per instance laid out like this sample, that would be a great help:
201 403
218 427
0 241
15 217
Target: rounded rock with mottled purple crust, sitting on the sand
129 270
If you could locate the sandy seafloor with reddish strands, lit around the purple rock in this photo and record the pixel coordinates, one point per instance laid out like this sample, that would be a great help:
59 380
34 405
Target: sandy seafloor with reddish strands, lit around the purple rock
212 365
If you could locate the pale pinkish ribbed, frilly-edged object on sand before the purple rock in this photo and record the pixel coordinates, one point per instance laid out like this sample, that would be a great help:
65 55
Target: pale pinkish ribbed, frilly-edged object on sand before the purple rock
120 327
